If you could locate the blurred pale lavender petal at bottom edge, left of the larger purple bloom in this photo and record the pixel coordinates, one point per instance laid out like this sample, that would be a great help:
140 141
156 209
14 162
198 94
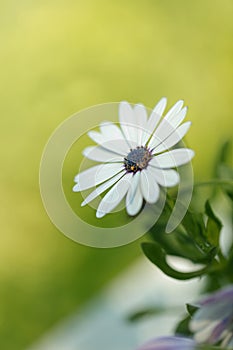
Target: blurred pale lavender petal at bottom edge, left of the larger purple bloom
170 343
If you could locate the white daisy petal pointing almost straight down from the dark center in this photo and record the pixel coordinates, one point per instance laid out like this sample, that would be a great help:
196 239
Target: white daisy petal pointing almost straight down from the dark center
134 197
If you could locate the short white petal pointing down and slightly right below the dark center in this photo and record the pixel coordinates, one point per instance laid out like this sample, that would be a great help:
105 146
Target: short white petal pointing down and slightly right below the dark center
149 187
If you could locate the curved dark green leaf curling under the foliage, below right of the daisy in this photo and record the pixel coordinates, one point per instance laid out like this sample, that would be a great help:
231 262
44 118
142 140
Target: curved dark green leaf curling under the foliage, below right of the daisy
157 256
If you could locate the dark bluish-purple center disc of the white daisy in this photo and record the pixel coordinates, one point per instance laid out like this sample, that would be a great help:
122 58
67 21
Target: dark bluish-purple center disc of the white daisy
137 159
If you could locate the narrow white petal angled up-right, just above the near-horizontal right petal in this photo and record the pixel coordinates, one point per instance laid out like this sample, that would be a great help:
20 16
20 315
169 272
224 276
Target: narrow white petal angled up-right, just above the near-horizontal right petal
173 139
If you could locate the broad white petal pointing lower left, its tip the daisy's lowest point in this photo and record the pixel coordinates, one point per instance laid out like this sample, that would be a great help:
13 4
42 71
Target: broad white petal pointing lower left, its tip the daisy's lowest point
114 196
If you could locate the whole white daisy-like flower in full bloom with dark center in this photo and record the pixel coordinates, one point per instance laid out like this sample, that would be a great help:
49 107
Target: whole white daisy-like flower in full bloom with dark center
135 157
